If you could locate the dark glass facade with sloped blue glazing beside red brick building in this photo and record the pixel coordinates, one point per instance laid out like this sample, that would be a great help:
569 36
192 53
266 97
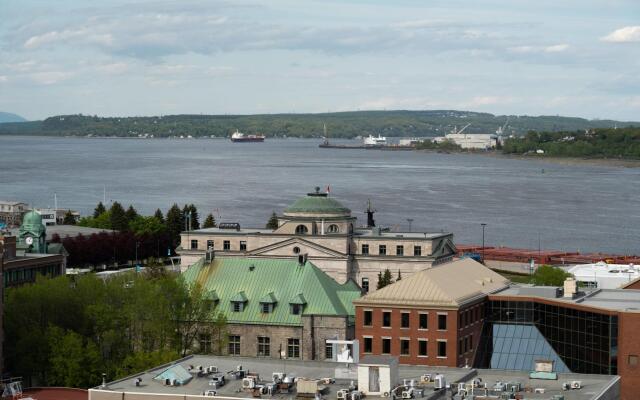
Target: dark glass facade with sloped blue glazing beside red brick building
518 332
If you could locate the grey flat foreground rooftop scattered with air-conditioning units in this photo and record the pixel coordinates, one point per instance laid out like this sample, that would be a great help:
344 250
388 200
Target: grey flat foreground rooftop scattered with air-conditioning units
592 385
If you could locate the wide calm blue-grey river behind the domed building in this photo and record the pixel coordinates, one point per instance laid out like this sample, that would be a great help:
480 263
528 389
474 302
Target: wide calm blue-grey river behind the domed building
587 208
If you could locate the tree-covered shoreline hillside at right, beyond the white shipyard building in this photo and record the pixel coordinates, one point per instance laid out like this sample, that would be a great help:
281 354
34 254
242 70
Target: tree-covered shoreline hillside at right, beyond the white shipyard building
623 143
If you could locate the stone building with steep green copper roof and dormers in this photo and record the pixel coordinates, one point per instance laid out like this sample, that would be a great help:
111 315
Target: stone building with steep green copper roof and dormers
275 305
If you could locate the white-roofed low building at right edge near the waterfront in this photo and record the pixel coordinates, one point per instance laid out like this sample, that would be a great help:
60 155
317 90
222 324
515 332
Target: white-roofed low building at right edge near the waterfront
604 276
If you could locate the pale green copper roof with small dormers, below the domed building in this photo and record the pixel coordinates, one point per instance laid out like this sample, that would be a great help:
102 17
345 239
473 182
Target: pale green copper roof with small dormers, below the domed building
235 279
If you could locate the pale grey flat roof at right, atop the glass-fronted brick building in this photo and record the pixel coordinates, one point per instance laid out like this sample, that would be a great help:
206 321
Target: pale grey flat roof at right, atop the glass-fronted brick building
608 299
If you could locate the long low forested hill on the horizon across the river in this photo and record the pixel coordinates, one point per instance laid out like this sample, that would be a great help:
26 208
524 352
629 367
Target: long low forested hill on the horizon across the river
339 125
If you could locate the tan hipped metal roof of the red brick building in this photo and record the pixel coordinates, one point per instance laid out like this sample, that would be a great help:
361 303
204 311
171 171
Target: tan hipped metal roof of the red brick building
448 285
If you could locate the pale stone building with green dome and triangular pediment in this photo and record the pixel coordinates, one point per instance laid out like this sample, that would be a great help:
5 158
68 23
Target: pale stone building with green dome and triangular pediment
324 230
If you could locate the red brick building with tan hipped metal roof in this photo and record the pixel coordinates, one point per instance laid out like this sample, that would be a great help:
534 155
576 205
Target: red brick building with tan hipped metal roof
434 317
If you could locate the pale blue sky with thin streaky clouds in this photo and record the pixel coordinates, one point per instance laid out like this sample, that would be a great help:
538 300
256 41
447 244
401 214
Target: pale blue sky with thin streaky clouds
116 58
